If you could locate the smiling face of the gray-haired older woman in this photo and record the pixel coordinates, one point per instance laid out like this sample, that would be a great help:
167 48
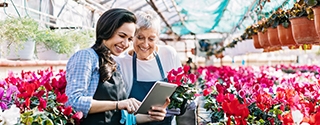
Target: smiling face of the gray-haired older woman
145 43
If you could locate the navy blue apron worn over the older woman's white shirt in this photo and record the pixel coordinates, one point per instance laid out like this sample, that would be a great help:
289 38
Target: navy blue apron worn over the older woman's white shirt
141 88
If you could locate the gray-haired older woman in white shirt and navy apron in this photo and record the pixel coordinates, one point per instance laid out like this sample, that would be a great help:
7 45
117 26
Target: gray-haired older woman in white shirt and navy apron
147 62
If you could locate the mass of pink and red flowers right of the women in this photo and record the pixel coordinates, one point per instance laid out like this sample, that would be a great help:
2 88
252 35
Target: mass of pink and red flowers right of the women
261 95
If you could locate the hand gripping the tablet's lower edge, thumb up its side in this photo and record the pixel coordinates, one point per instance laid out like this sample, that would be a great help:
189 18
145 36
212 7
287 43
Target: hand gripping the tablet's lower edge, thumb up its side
157 113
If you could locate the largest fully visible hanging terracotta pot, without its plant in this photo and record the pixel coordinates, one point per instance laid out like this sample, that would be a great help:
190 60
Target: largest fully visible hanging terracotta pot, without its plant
304 31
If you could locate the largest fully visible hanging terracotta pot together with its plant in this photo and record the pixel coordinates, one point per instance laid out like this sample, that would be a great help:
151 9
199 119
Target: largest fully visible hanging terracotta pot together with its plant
303 27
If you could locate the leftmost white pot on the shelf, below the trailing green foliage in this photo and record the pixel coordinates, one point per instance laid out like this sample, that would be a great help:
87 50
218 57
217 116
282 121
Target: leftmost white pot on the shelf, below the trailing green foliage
21 52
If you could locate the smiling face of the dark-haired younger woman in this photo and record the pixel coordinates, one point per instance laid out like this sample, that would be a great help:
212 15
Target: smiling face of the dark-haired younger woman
120 39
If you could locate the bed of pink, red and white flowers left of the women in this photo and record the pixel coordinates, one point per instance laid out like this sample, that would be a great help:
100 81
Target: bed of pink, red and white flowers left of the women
36 98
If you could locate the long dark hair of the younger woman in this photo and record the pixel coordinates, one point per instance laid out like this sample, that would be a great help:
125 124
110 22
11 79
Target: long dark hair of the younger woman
107 25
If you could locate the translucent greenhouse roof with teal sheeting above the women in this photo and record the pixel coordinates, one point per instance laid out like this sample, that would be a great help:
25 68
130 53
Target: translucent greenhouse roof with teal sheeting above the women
202 16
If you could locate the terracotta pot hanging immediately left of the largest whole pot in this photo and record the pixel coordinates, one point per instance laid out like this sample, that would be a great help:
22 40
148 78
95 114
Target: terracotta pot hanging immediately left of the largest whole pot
285 35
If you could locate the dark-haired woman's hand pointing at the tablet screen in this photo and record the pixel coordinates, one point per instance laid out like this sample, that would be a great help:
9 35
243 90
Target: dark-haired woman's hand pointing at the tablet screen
131 105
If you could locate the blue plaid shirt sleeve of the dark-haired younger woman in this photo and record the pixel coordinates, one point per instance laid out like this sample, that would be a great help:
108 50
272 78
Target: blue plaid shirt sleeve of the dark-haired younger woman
82 75
